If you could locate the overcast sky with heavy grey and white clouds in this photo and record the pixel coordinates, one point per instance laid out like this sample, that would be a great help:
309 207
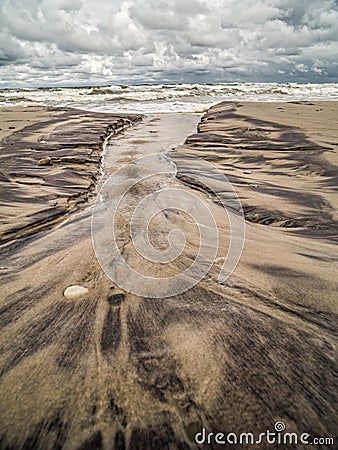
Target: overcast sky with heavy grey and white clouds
95 42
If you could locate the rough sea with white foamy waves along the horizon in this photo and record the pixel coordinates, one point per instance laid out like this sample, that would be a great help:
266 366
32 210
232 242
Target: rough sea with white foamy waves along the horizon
165 98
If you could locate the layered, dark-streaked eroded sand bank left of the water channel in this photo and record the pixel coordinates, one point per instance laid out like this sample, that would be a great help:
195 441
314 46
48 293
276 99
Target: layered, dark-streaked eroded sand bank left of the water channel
50 163
